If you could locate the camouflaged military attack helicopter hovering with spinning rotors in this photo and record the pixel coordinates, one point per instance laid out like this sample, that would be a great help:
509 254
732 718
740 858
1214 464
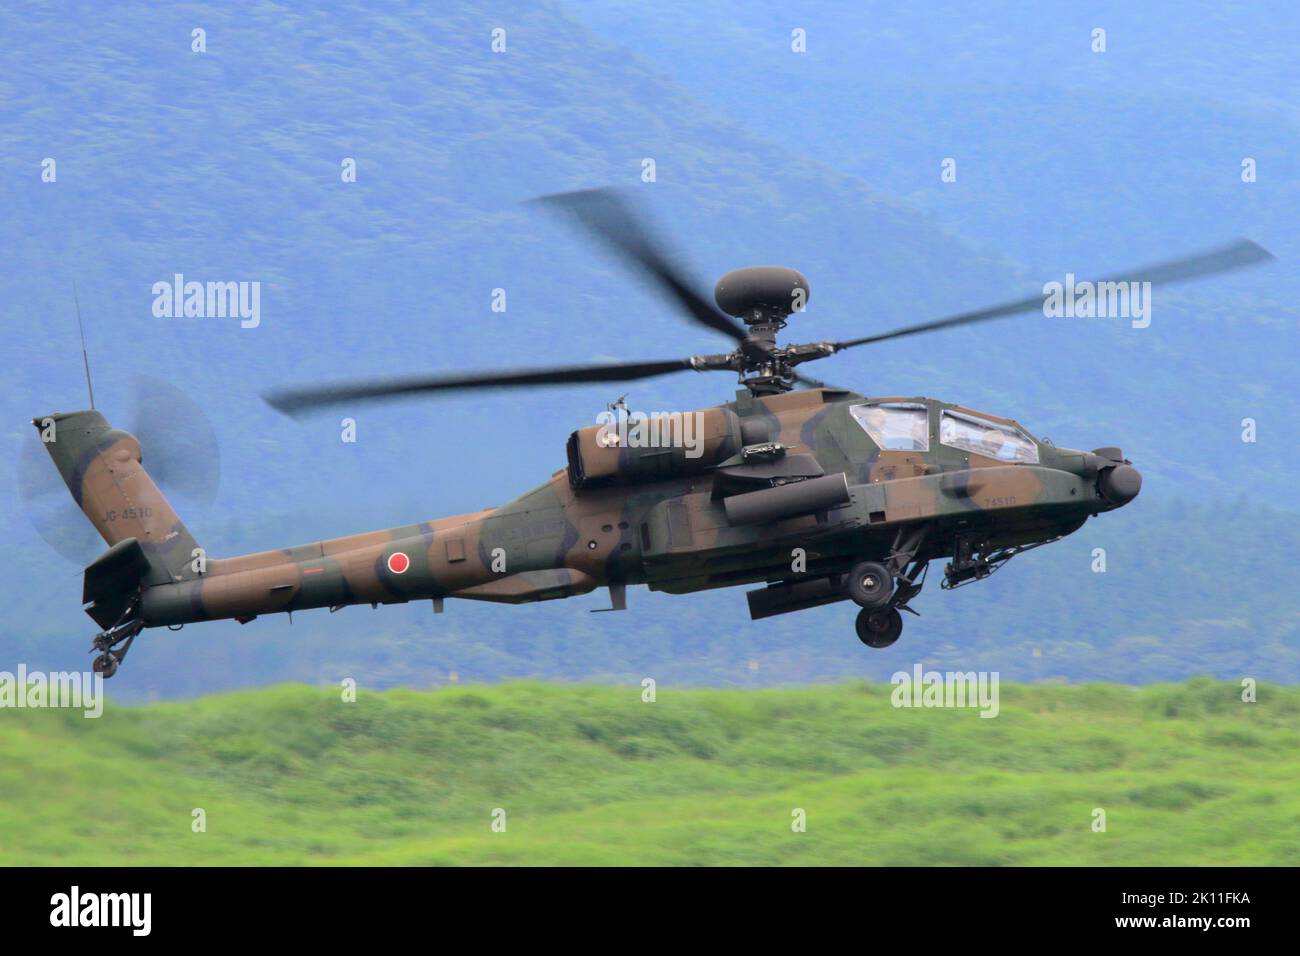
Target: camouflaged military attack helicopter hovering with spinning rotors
814 494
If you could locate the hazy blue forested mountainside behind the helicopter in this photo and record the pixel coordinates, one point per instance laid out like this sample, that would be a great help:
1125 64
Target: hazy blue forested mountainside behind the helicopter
227 166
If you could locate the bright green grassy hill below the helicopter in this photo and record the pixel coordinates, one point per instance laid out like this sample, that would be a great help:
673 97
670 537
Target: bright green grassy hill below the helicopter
1188 775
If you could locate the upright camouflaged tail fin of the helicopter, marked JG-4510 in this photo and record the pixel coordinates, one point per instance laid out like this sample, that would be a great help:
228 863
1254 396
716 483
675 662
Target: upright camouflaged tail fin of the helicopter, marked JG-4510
102 469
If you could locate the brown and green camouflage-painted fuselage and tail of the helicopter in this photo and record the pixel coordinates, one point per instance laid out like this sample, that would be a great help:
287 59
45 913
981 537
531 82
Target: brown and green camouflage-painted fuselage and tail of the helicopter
656 522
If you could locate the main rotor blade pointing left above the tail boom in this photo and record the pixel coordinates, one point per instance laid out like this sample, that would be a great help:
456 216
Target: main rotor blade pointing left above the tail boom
296 401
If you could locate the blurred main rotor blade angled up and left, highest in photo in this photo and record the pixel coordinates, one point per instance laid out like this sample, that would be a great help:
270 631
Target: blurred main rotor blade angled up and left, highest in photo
614 224
